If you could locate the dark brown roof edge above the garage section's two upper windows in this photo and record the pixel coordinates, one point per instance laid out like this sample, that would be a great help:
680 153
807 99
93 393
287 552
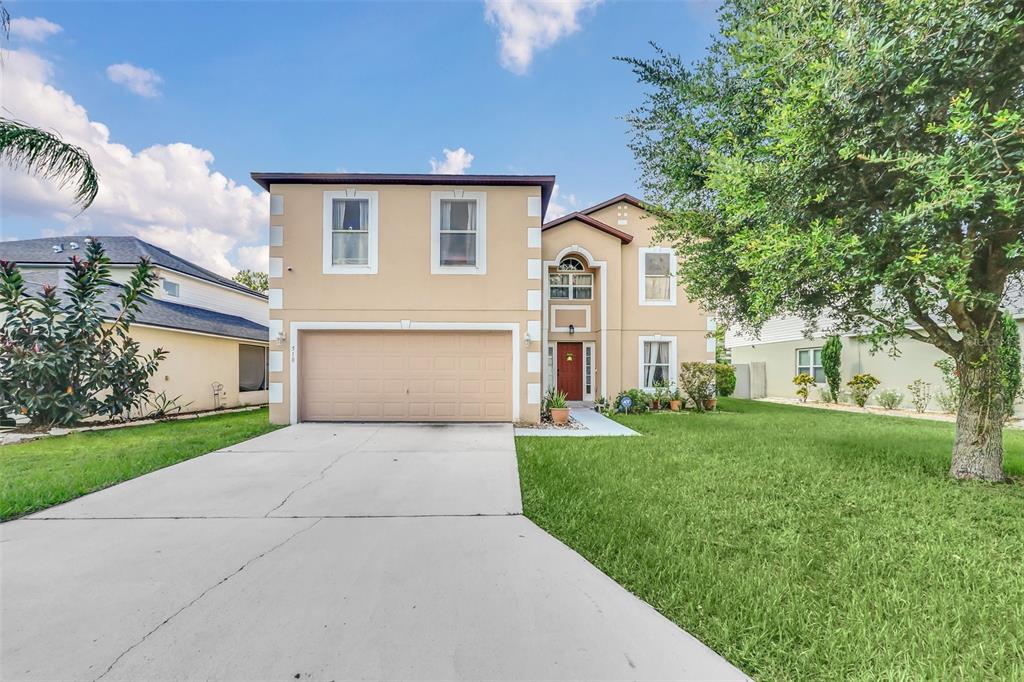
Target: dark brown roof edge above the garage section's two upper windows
547 183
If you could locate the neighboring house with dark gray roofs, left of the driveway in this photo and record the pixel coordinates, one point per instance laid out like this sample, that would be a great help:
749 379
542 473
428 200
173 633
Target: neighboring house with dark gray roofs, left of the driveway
216 330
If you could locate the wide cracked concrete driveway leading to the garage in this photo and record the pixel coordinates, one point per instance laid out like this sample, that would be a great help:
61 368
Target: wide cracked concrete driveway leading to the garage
324 552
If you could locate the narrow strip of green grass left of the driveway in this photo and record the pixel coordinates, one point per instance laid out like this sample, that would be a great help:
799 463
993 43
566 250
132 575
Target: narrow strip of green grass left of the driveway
46 473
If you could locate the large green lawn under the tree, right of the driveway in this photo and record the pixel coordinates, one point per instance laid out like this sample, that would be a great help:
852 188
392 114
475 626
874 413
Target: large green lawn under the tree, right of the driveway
800 544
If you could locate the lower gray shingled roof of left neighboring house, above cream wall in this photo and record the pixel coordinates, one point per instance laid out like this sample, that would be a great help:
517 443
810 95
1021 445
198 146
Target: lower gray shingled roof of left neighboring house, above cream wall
168 315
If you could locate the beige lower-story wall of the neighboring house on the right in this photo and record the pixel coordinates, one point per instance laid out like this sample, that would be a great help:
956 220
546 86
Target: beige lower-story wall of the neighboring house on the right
916 361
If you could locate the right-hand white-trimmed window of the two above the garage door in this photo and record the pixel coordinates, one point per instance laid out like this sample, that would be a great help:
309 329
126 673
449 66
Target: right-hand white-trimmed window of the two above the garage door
458 233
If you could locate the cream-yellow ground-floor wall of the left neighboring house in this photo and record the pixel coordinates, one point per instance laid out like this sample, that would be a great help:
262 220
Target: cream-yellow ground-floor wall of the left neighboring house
194 362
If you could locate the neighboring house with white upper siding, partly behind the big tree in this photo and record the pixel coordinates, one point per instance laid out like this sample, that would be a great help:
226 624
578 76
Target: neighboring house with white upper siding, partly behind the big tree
784 350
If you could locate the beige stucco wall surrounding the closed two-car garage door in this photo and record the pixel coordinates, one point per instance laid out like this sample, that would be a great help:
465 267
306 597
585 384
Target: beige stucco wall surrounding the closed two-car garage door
404 288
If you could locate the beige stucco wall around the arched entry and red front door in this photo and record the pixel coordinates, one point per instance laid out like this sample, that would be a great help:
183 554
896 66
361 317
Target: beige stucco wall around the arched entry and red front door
627 320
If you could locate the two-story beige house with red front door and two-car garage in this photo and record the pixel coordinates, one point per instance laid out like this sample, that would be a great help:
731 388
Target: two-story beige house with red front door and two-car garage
444 299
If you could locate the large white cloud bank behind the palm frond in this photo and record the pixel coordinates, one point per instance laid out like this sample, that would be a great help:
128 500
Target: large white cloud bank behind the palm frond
165 194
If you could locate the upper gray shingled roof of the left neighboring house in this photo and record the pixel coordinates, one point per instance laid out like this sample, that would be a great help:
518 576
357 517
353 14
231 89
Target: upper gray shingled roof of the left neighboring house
121 251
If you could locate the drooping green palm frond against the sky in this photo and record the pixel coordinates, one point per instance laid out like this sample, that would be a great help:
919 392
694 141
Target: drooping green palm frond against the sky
45 154
